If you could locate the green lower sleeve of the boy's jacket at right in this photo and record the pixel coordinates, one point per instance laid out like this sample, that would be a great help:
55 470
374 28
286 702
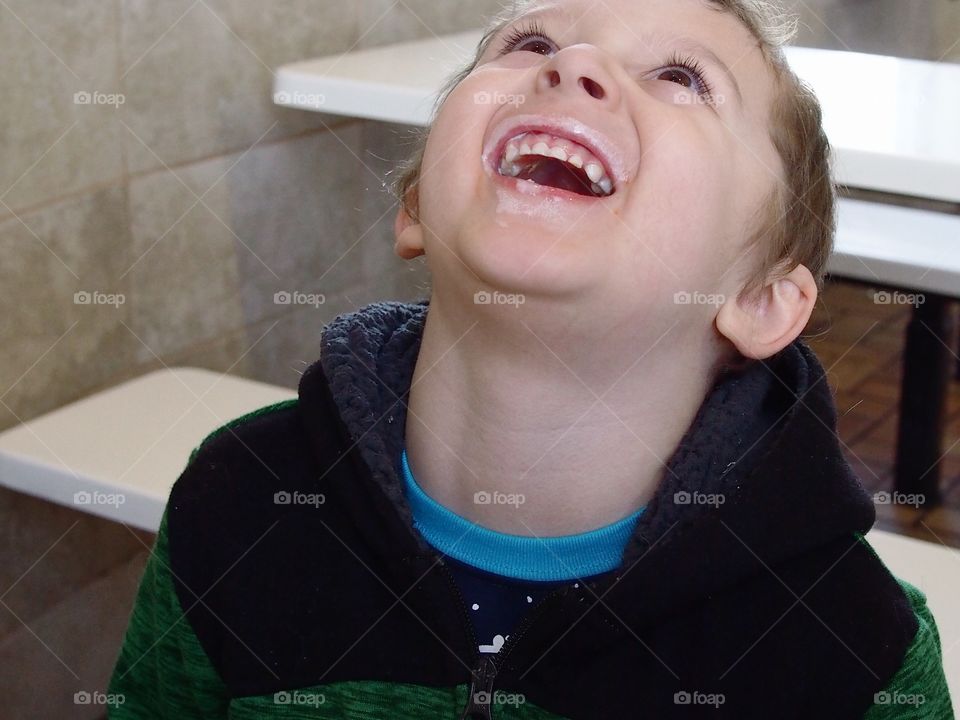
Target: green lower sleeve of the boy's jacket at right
918 690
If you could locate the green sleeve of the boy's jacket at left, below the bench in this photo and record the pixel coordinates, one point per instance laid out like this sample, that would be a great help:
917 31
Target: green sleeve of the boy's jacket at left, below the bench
162 670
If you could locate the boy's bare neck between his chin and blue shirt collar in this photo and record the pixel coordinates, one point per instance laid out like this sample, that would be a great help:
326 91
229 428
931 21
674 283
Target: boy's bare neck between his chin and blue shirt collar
565 425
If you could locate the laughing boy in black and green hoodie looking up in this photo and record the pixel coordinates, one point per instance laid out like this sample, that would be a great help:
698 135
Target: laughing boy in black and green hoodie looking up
596 475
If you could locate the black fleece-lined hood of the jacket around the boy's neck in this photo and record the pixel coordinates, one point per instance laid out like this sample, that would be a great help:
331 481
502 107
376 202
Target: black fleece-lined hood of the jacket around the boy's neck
764 440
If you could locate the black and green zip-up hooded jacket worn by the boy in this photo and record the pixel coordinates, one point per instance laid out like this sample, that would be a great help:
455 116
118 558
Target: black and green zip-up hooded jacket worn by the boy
288 579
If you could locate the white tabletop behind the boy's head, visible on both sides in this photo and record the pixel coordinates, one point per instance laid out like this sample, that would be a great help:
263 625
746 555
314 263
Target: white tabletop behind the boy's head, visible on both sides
894 122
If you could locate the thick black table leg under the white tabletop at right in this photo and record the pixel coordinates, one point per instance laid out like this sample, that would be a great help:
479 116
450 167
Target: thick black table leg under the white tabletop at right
923 399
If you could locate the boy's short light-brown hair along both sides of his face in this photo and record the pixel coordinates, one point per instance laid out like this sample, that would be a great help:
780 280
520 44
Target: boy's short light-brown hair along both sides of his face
795 223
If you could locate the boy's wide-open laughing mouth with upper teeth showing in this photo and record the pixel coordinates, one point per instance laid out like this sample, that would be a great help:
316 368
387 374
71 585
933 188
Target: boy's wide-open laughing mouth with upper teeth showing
556 162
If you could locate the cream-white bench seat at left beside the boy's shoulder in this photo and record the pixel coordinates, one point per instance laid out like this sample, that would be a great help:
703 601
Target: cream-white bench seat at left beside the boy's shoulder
117 453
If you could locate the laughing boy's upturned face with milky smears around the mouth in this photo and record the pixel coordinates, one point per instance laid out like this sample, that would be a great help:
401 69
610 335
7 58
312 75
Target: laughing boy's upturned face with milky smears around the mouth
688 168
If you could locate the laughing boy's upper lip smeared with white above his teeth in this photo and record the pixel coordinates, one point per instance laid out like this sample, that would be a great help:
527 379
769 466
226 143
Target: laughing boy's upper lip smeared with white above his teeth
563 126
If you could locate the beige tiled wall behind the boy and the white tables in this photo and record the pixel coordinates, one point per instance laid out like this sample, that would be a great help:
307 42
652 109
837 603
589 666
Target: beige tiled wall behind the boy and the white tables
198 199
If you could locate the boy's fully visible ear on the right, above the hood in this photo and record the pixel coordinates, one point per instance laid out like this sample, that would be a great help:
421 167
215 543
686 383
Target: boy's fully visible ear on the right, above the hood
766 322
